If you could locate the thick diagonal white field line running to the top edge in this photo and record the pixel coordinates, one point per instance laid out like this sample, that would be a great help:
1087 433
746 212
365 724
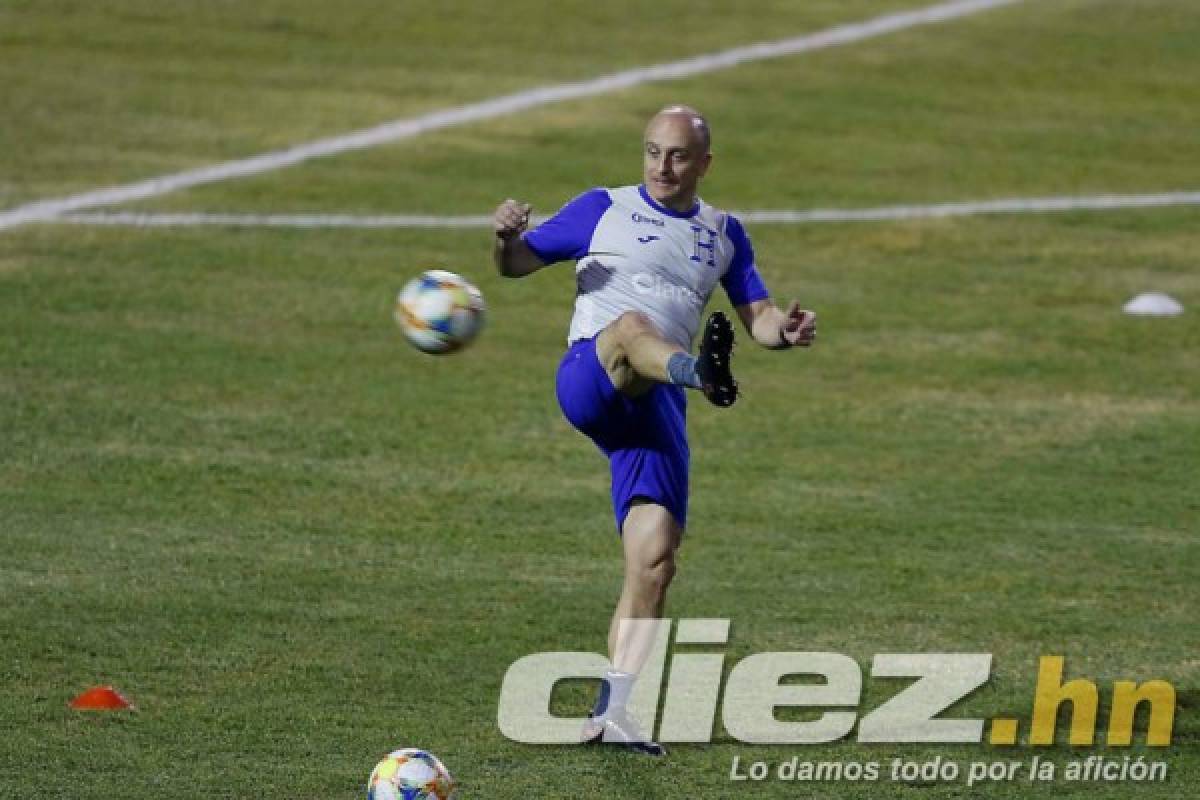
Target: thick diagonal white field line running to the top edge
410 128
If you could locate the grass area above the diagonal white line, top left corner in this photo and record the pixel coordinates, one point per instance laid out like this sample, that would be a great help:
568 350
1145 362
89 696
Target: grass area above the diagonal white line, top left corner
95 95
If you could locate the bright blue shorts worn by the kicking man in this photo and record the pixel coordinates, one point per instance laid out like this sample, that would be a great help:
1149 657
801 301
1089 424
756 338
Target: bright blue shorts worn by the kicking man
645 438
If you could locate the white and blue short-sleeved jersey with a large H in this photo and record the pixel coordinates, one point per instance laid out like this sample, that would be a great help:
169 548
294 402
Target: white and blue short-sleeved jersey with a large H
635 255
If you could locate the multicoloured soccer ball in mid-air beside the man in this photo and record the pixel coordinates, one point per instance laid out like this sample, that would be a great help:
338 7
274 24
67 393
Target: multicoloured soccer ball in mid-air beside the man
440 312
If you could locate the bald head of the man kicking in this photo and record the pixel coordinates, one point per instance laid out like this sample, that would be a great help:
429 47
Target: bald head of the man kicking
676 155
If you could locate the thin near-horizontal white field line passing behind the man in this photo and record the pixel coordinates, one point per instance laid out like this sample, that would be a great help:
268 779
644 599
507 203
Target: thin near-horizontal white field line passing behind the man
1012 206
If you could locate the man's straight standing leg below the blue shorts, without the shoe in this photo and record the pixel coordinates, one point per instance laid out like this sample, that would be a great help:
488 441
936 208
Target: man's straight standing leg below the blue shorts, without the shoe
650 539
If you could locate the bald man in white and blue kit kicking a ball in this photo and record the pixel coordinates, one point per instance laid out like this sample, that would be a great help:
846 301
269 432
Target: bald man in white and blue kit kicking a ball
647 258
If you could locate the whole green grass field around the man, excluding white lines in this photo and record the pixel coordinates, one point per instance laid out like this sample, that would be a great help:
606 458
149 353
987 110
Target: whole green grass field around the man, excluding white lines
231 490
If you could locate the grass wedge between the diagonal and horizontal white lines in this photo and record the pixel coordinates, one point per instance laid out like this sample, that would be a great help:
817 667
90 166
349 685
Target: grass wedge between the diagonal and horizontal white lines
1103 94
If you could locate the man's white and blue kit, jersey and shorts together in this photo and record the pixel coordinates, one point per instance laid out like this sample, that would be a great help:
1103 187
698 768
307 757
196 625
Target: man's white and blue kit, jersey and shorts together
634 255
